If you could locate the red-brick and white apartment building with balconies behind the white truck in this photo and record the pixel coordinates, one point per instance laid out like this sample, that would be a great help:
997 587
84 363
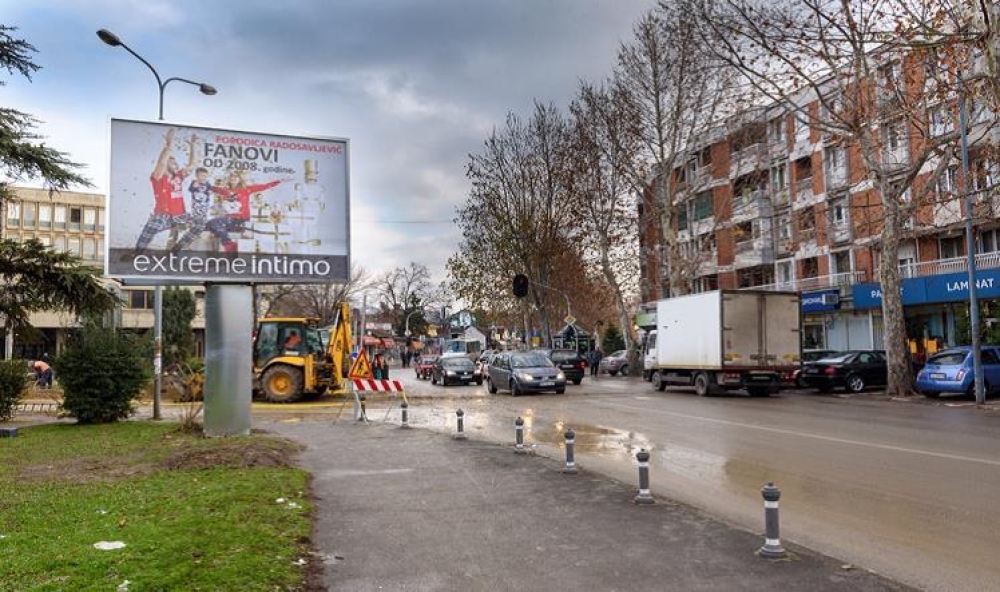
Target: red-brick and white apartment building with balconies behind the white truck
769 201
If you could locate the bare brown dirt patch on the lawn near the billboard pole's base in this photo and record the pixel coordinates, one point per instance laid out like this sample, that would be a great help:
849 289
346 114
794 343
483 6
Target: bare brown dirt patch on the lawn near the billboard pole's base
241 454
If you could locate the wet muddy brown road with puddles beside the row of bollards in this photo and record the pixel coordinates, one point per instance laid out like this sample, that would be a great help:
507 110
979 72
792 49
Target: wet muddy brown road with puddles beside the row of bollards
905 489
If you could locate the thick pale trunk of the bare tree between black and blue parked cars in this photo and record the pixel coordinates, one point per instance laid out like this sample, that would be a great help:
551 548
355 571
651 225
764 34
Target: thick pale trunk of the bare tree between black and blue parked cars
900 374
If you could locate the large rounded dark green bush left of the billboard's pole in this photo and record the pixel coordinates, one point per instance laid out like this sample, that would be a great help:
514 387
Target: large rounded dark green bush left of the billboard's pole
102 371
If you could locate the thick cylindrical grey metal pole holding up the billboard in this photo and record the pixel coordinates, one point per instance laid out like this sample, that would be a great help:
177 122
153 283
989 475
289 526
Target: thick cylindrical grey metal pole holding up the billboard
229 324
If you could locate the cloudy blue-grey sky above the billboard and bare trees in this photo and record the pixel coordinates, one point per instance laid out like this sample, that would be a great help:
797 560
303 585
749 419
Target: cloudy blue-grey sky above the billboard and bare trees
416 85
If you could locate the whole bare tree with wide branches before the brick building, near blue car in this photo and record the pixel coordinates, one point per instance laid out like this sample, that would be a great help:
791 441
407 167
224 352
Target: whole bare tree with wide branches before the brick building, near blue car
874 68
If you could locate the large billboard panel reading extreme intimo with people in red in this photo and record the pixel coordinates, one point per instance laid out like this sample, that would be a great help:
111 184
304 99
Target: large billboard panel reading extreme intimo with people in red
208 205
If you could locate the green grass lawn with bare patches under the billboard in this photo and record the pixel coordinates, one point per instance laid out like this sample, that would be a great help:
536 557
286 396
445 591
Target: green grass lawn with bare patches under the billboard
194 513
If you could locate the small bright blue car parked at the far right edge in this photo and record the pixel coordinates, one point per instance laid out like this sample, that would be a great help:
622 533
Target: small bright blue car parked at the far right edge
951 371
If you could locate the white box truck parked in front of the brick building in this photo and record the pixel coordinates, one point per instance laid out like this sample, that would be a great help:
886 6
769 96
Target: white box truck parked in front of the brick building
725 340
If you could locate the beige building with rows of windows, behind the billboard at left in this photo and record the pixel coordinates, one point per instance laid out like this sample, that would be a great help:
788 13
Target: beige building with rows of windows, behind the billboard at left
75 222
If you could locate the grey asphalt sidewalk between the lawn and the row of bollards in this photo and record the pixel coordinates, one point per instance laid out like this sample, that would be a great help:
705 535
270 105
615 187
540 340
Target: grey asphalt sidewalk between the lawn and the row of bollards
416 510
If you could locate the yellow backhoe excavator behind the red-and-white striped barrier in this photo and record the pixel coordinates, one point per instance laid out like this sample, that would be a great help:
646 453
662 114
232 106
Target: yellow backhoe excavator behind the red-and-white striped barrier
294 359
